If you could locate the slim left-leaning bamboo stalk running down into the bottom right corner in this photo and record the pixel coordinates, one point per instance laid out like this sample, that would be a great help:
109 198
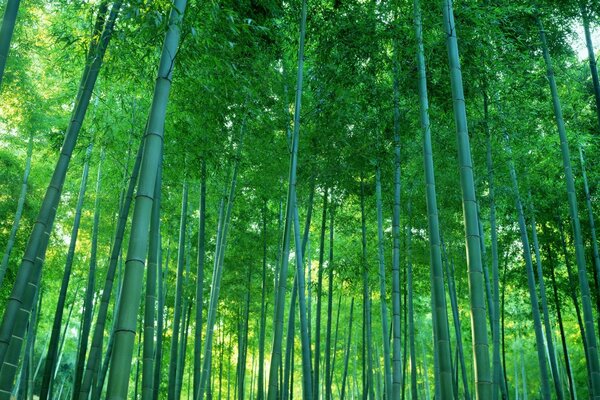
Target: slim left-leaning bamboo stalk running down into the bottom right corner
584 287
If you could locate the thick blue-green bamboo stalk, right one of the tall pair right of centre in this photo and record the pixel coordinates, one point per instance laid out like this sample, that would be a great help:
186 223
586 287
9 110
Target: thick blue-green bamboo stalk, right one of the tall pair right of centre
483 378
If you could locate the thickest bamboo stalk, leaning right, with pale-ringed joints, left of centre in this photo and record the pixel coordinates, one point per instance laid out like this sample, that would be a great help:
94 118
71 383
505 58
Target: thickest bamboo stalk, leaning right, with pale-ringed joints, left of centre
134 268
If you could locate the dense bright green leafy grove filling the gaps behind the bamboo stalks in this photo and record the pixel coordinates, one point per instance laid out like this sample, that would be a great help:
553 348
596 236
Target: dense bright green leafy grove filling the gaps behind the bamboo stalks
235 71
